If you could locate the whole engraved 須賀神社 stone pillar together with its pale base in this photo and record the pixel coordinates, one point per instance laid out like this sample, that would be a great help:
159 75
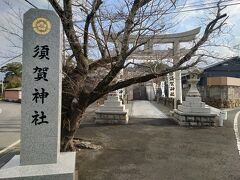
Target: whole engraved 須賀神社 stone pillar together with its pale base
40 156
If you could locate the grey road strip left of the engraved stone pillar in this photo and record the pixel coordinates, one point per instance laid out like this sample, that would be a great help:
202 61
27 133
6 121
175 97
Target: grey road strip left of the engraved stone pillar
9 123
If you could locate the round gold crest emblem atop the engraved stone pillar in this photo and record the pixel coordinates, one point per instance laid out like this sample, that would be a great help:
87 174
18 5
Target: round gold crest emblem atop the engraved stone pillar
41 26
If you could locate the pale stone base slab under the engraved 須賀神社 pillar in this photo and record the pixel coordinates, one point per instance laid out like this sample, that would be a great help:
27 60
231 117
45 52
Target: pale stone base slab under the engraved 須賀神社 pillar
64 169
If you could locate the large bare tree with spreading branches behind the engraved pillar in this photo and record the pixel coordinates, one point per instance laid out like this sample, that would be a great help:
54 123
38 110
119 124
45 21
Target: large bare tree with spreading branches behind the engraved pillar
92 64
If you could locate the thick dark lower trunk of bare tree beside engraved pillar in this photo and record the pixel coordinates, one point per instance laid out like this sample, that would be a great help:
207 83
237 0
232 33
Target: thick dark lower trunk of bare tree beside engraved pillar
74 104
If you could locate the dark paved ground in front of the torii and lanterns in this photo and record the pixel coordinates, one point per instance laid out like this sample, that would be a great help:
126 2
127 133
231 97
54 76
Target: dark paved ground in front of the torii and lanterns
152 149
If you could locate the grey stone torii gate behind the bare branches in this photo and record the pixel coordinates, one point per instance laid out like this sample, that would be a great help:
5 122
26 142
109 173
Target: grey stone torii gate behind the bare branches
148 53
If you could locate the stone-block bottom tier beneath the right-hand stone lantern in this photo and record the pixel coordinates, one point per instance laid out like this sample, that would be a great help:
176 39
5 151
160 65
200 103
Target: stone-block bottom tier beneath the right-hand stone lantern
194 119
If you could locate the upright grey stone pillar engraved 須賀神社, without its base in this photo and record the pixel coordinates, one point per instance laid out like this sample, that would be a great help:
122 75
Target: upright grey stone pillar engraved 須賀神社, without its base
41 88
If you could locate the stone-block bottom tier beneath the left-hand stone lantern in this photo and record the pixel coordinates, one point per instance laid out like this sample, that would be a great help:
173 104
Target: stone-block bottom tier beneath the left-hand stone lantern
111 117
